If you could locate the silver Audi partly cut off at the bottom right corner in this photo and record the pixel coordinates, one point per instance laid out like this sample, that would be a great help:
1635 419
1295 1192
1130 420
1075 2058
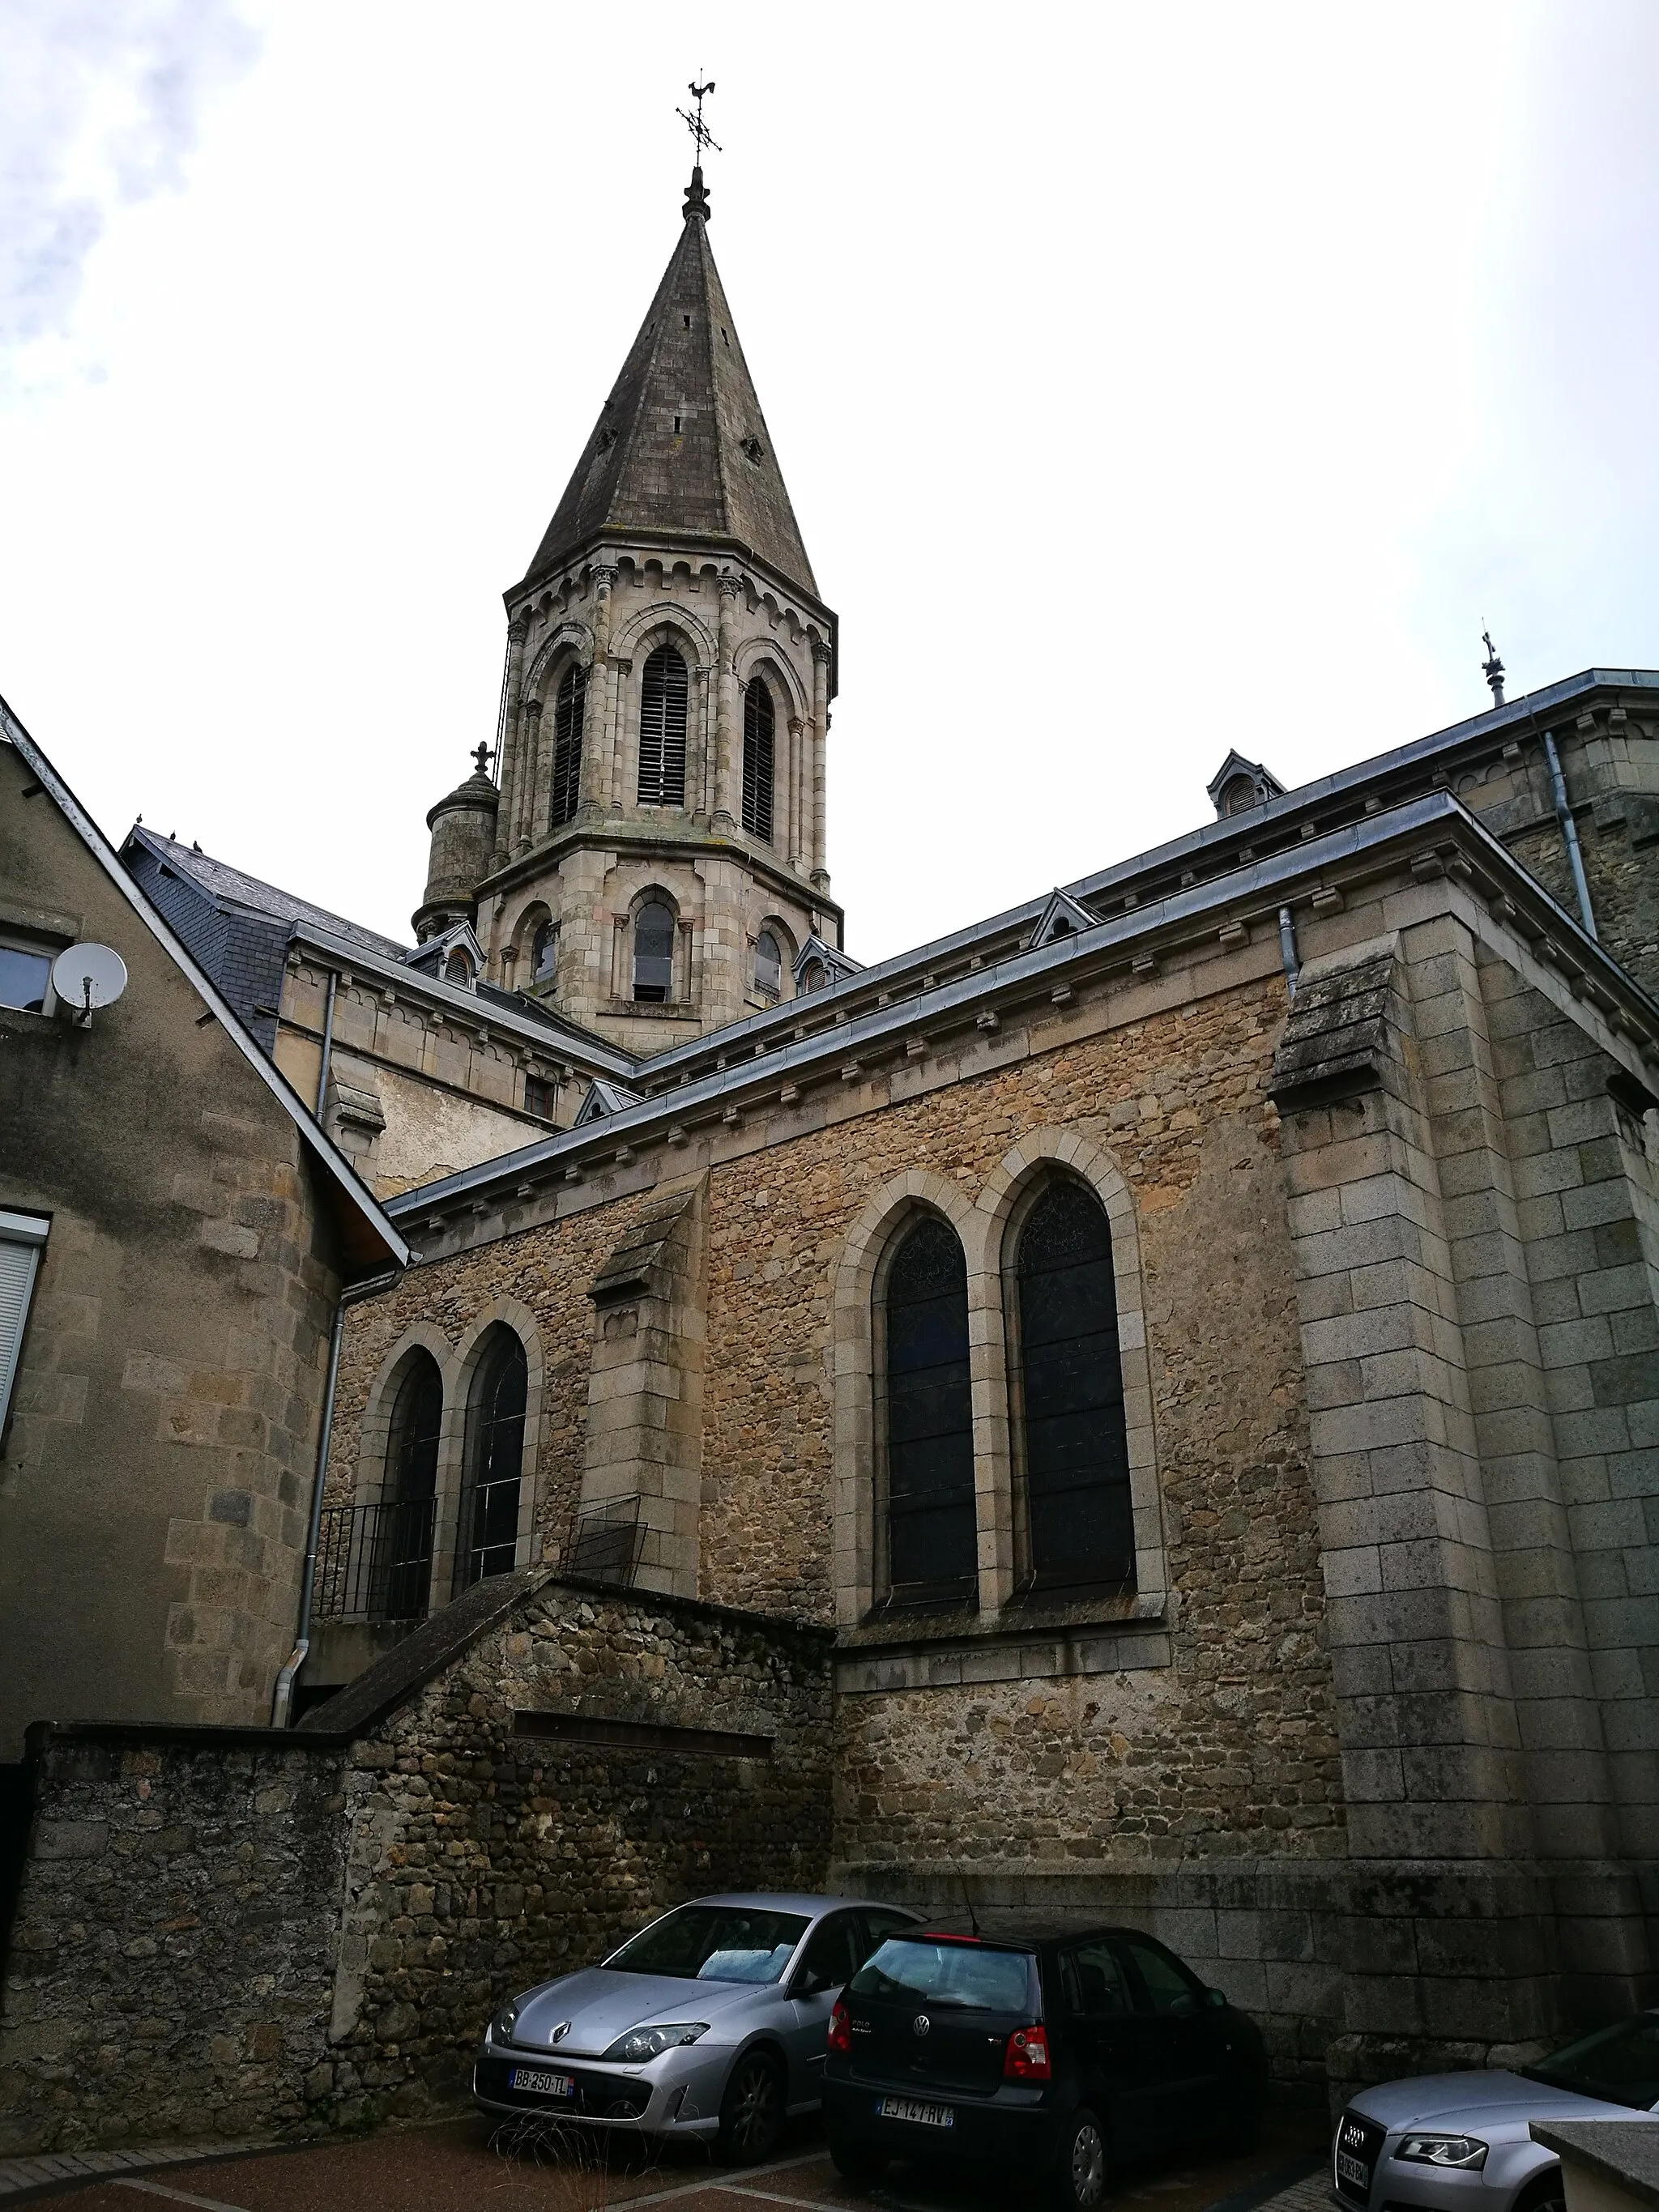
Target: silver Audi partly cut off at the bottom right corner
1463 2142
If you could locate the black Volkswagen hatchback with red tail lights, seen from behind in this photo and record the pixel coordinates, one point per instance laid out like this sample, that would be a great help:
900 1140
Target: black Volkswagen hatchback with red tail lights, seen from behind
1047 2054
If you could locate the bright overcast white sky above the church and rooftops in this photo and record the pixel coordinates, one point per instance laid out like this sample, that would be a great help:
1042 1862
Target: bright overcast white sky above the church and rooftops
1149 382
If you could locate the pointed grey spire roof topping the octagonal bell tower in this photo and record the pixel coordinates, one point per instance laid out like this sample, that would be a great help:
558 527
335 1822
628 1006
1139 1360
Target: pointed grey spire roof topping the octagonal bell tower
716 479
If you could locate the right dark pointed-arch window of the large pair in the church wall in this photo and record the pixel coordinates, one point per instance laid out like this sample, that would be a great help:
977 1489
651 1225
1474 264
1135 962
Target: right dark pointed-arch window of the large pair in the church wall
1076 1523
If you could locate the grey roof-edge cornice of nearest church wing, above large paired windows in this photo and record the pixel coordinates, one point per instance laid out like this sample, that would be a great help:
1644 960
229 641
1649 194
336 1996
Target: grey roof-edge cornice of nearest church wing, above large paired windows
1426 839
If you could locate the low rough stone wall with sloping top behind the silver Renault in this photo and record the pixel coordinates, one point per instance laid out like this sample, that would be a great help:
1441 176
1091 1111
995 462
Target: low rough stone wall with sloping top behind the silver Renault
222 1937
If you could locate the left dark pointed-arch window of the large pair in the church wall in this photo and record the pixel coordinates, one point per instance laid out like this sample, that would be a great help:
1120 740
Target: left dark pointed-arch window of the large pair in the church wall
932 1547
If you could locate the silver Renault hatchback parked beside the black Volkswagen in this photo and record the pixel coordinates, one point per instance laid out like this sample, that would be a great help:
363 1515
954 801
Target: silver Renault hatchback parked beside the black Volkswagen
709 2023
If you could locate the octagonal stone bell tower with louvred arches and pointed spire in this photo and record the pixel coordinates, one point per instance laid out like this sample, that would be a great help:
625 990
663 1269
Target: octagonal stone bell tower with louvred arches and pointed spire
658 855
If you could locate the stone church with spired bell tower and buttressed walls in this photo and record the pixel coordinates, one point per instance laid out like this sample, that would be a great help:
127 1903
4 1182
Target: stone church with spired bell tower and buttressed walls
1187 1346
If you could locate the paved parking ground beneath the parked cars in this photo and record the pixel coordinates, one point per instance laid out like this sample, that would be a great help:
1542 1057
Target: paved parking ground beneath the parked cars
463 2167
